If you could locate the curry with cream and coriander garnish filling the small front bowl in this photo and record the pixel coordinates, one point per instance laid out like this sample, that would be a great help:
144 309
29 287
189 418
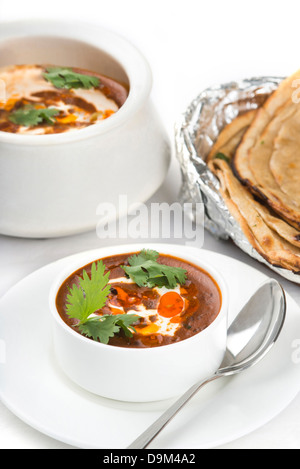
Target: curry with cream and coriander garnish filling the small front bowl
139 300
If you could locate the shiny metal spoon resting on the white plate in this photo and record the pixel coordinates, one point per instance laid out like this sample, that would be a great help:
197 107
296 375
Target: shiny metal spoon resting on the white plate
250 336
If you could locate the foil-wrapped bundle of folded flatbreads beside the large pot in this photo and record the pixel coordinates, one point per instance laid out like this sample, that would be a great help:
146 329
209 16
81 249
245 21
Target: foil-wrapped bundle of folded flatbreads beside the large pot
214 139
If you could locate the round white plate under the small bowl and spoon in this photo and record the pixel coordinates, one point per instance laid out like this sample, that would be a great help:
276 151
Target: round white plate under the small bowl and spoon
34 388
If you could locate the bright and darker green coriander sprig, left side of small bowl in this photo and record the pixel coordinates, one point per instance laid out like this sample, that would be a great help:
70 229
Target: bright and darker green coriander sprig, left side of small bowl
91 296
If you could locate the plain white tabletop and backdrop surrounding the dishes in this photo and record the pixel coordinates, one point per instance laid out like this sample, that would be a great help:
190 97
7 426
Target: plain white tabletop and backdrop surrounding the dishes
189 45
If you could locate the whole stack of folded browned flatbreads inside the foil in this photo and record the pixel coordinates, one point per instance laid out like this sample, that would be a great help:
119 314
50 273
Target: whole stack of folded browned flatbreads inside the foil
257 160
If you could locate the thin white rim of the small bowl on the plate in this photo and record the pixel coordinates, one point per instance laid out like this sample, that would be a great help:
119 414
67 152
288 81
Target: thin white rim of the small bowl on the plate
87 257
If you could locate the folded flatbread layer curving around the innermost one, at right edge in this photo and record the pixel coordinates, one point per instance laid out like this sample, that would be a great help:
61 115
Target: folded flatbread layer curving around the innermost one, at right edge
252 158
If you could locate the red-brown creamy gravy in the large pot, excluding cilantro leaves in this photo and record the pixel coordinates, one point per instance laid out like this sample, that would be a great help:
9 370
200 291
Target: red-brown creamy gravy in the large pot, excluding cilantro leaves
78 108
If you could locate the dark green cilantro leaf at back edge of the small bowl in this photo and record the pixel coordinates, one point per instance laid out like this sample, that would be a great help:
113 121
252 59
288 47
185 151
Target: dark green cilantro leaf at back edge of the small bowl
145 271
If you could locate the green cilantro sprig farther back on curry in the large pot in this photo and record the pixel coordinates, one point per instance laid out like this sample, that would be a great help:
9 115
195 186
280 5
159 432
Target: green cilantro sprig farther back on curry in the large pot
65 78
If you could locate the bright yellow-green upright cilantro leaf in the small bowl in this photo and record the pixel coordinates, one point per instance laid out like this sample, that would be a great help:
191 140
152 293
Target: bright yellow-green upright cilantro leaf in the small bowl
91 294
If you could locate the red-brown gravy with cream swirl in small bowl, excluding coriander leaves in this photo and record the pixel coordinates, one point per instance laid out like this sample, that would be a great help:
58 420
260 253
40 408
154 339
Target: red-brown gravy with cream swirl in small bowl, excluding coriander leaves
200 295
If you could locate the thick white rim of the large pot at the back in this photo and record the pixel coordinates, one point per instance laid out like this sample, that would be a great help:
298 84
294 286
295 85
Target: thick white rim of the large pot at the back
130 58
